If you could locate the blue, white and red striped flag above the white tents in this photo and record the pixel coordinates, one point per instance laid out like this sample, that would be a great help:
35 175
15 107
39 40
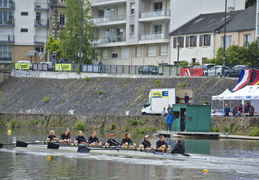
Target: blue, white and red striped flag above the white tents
244 79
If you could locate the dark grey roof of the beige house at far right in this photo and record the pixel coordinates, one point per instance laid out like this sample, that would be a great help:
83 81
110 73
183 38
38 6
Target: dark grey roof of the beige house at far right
244 21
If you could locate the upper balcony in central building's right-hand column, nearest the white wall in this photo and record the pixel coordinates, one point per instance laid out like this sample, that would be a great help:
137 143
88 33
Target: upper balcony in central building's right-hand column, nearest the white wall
154 15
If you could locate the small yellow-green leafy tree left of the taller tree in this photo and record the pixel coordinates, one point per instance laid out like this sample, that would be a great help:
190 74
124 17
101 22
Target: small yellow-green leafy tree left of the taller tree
54 45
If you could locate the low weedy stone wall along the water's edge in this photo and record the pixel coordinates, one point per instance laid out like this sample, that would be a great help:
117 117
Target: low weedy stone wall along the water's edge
116 123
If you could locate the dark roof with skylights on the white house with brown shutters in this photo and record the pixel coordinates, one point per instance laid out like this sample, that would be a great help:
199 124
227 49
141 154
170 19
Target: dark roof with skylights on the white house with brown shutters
205 23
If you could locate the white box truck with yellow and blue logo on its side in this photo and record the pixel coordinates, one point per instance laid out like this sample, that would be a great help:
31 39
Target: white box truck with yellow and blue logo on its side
160 98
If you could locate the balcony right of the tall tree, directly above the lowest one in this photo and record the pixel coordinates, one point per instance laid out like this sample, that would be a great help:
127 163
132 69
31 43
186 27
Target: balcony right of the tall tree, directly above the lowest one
112 20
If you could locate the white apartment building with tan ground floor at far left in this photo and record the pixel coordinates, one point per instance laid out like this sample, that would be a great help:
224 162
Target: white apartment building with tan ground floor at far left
24 29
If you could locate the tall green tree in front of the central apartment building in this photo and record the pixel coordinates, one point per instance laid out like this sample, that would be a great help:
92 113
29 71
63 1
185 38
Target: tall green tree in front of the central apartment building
70 37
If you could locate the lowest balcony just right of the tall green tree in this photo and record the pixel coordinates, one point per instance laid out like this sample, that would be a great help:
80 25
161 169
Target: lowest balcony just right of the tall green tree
111 41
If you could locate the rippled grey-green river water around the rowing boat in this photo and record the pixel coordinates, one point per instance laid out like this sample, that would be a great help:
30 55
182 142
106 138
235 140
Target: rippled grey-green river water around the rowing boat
227 159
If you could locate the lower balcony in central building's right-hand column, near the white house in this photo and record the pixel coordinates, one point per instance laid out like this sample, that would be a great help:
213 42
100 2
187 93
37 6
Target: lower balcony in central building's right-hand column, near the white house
154 38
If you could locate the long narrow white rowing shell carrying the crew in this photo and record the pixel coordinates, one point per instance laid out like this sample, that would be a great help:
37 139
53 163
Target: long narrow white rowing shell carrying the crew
115 152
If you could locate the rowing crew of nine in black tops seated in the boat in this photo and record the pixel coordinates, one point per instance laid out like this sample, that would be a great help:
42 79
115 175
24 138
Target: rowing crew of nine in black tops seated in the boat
126 142
